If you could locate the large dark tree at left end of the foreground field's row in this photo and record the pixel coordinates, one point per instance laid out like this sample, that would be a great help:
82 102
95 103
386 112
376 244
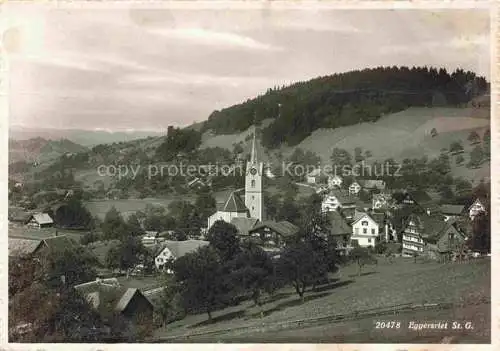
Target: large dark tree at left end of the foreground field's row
199 276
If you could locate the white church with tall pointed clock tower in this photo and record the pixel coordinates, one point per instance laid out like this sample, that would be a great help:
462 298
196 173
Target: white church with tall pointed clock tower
252 208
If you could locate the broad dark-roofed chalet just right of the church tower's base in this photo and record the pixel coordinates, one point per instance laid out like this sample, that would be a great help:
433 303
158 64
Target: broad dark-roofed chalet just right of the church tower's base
273 234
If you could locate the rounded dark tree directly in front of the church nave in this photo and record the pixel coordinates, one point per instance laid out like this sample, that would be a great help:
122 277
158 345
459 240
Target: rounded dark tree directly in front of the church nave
223 237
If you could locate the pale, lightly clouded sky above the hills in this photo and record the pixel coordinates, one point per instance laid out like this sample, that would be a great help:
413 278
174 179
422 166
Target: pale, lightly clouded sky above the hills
136 69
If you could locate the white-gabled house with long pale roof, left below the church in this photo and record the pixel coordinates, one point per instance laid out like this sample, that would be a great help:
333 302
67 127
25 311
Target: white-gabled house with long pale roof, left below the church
172 250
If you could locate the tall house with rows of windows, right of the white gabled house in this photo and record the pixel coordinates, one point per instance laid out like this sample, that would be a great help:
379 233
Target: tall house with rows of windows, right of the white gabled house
417 230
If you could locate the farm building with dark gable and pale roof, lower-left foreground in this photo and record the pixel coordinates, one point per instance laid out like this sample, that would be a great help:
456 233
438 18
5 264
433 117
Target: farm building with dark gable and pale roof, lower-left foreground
108 296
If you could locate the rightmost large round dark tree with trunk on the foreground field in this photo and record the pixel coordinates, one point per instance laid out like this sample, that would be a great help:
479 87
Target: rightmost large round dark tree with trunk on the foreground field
300 266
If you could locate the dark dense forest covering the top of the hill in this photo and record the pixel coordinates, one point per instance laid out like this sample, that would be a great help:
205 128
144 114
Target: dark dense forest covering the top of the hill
345 99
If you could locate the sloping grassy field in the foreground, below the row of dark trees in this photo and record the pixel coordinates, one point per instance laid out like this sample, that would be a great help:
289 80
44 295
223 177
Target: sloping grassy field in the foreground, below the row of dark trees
386 284
